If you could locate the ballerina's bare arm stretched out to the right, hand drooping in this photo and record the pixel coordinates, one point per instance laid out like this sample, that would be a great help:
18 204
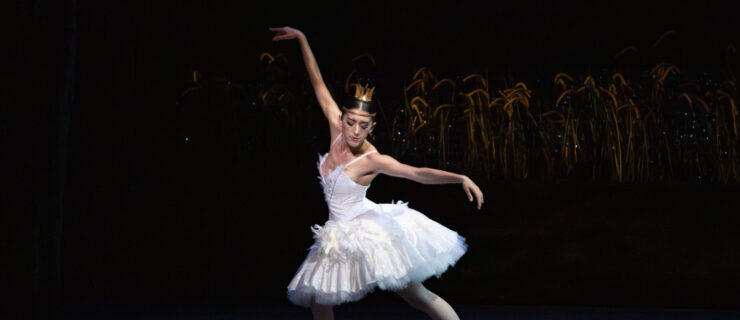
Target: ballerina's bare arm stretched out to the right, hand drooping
387 165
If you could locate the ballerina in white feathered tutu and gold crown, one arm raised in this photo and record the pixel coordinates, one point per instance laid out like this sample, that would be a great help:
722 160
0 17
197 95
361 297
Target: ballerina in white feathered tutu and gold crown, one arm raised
365 245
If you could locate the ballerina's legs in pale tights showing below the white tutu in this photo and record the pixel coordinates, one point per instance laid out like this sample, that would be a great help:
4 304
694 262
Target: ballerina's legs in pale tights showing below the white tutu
415 294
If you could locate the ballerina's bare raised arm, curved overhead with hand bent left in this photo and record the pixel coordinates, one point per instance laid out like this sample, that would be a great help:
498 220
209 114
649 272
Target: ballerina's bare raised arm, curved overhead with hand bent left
328 105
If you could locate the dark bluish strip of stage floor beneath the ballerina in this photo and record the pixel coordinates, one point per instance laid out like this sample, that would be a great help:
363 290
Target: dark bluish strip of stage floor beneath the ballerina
382 309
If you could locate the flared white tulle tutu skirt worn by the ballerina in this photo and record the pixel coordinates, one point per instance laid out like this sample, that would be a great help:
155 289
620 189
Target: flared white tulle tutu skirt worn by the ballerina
385 247
